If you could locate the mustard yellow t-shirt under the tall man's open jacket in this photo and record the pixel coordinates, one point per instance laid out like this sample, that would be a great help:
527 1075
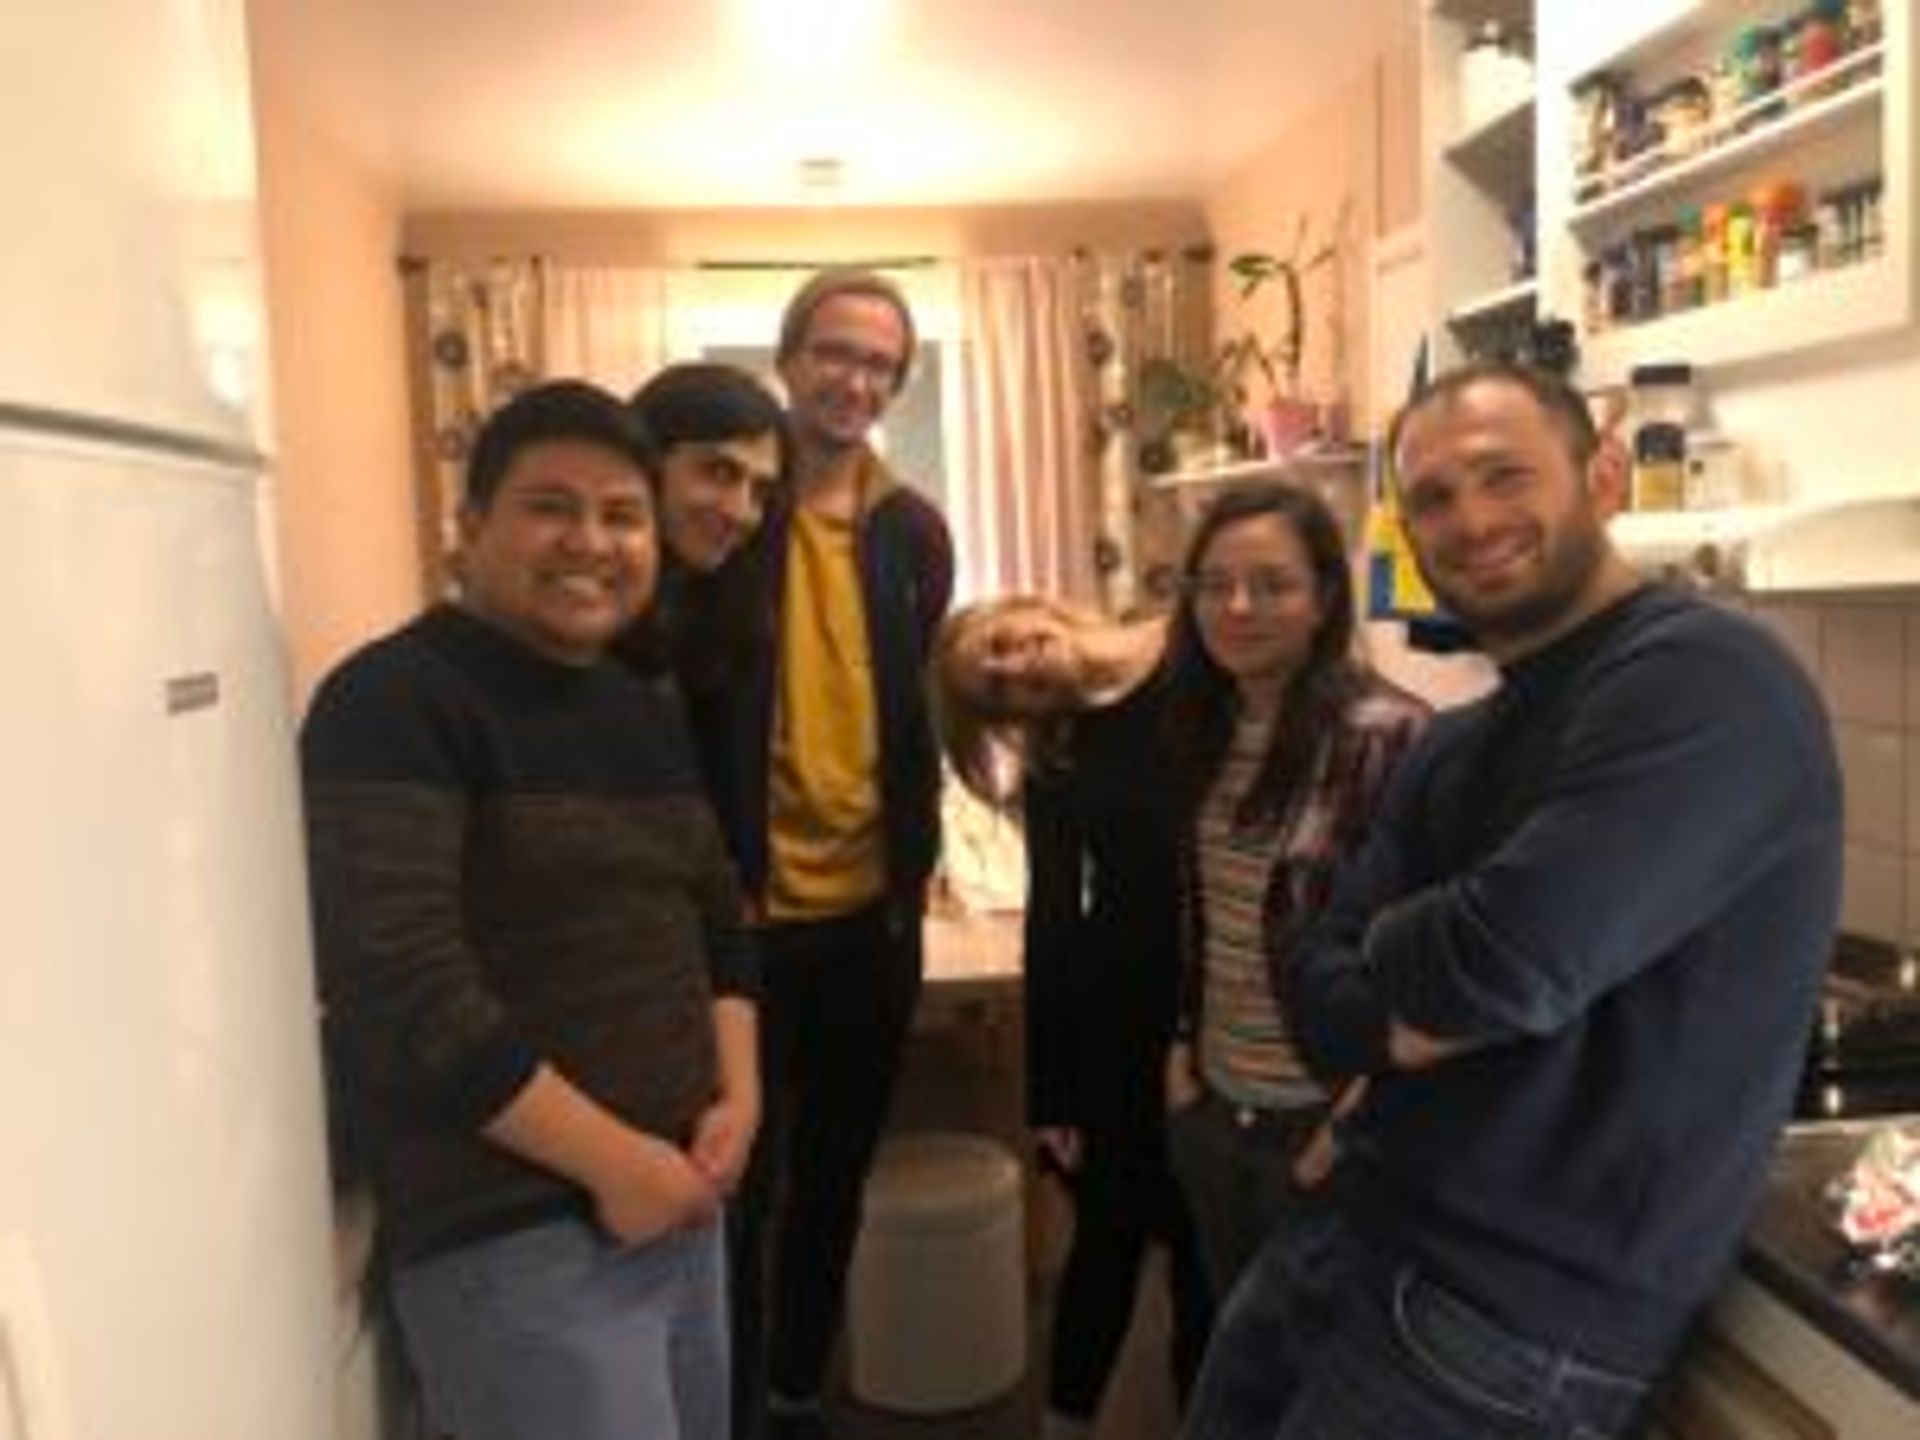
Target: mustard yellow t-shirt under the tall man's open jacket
827 852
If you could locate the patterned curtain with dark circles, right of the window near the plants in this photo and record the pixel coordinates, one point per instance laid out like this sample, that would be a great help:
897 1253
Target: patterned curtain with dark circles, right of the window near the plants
1138 310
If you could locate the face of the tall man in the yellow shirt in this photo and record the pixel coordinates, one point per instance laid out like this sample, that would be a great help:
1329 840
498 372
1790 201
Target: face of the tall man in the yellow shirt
846 370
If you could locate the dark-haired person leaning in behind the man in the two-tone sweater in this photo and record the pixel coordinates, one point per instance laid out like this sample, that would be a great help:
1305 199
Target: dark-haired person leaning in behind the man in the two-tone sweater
725 452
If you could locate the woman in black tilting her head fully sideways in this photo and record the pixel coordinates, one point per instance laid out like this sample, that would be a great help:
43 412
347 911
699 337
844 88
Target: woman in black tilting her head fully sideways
1070 704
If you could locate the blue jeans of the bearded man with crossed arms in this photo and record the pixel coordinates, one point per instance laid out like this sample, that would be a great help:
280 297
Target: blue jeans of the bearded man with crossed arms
1326 1341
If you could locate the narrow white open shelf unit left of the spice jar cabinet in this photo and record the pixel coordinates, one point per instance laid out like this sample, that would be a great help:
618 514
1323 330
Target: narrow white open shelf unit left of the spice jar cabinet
1479 124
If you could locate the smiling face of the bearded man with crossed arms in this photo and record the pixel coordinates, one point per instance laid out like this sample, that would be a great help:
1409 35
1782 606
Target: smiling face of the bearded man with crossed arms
1506 523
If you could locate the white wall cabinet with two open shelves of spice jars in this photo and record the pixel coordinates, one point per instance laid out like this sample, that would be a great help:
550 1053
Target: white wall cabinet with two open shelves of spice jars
1850 122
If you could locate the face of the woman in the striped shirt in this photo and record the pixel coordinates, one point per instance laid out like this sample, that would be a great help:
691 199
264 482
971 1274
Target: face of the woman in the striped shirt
1257 602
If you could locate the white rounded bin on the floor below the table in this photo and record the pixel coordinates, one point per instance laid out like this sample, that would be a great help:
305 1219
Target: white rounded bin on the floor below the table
938 1301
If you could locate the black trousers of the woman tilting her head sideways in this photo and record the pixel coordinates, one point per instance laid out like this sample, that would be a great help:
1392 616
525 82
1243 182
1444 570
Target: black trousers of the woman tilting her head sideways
1124 1199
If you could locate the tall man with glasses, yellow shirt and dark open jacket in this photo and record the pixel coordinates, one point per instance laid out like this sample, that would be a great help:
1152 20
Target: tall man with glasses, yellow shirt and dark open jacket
836 828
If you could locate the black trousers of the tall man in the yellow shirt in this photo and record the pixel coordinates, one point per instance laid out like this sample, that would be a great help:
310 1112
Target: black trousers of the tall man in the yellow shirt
840 997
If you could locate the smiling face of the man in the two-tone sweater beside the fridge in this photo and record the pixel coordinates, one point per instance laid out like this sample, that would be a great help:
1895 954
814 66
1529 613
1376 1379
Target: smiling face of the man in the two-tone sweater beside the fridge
562 556
